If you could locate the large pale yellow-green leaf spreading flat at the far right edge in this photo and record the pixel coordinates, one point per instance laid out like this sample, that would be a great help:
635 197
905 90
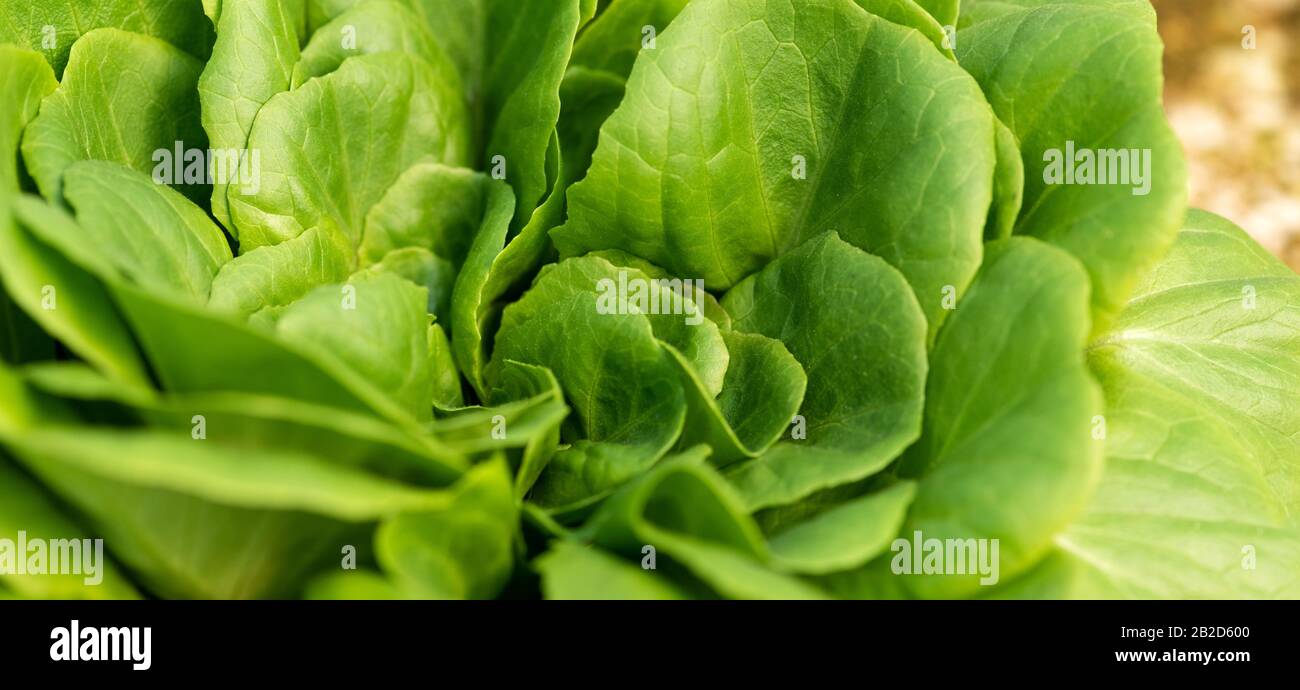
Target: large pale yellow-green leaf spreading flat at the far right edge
1202 492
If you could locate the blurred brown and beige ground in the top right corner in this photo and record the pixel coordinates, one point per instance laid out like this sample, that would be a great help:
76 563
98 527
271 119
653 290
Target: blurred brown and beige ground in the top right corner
1233 96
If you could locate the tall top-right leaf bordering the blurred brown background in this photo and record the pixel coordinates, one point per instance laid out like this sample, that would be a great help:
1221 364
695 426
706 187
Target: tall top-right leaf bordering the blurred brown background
1087 73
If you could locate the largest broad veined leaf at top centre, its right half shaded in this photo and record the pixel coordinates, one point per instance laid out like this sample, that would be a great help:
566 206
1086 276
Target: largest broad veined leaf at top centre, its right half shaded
740 138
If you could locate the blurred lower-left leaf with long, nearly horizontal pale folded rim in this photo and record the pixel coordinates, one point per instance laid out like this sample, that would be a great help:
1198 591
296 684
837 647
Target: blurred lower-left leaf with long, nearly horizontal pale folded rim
198 520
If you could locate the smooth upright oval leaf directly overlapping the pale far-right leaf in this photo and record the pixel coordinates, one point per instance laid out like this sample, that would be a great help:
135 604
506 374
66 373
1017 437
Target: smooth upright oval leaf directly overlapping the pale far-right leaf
1007 453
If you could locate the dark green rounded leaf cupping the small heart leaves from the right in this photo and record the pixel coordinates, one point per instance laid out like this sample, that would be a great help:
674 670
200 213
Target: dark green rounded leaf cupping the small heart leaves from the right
856 329
